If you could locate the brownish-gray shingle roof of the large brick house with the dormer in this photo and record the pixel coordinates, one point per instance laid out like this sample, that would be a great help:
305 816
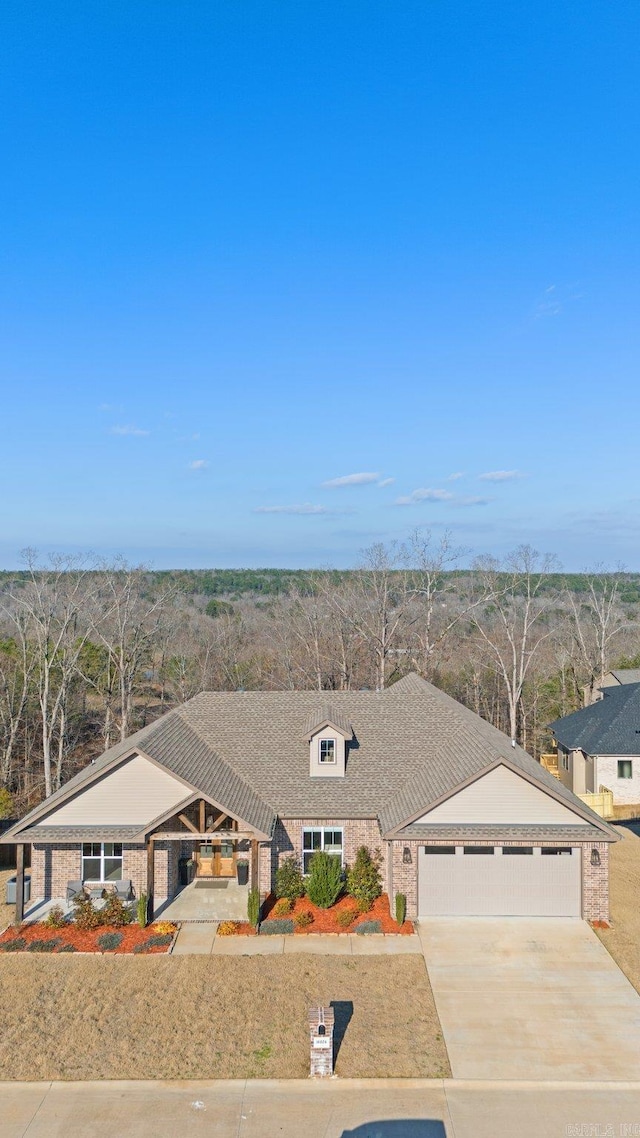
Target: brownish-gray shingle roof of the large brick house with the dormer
412 746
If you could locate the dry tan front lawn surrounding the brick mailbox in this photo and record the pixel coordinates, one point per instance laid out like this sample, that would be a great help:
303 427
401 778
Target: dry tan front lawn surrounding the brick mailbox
214 1018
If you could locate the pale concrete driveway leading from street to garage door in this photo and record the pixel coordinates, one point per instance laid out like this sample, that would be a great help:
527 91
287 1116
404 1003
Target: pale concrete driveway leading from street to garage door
531 999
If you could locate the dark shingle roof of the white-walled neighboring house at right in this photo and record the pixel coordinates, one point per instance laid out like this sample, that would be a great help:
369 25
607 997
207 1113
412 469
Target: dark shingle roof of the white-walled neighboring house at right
611 727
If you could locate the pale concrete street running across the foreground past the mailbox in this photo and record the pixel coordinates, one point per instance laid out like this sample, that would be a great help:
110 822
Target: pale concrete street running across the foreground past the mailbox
333 1109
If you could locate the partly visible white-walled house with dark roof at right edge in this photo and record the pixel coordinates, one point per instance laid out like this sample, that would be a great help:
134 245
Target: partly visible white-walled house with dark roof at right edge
600 746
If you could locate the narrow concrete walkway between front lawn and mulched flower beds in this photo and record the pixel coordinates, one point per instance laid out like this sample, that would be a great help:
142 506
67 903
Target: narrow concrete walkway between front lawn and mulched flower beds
202 938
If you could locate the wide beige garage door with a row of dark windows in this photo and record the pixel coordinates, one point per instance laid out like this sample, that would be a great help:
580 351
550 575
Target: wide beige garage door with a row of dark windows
499 881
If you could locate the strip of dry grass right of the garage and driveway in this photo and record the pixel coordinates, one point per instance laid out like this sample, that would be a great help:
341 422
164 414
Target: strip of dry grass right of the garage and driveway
623 939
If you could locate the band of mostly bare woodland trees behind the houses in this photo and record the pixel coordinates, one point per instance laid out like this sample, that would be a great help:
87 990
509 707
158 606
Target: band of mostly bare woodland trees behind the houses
92 652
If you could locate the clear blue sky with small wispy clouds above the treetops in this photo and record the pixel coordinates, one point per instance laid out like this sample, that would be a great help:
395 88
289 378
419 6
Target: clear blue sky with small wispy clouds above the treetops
250 249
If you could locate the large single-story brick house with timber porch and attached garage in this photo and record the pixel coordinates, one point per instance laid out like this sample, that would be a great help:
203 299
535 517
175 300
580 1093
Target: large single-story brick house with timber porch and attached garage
467 824
